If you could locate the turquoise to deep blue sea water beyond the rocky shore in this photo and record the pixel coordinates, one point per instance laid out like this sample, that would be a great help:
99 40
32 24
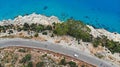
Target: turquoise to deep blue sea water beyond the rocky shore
99 13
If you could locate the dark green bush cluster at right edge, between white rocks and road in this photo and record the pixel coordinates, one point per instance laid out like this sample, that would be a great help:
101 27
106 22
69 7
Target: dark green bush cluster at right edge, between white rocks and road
110 44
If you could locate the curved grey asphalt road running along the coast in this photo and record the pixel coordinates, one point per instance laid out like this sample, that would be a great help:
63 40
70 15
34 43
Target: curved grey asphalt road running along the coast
56 48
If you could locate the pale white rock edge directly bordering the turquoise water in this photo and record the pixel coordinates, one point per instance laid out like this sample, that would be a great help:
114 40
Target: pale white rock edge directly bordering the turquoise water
44 20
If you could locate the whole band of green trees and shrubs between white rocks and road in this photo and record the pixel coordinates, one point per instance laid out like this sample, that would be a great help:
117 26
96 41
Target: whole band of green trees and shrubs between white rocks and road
71 27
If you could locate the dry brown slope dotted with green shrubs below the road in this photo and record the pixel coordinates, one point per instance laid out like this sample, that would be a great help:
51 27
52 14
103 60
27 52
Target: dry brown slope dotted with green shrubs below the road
11 58
